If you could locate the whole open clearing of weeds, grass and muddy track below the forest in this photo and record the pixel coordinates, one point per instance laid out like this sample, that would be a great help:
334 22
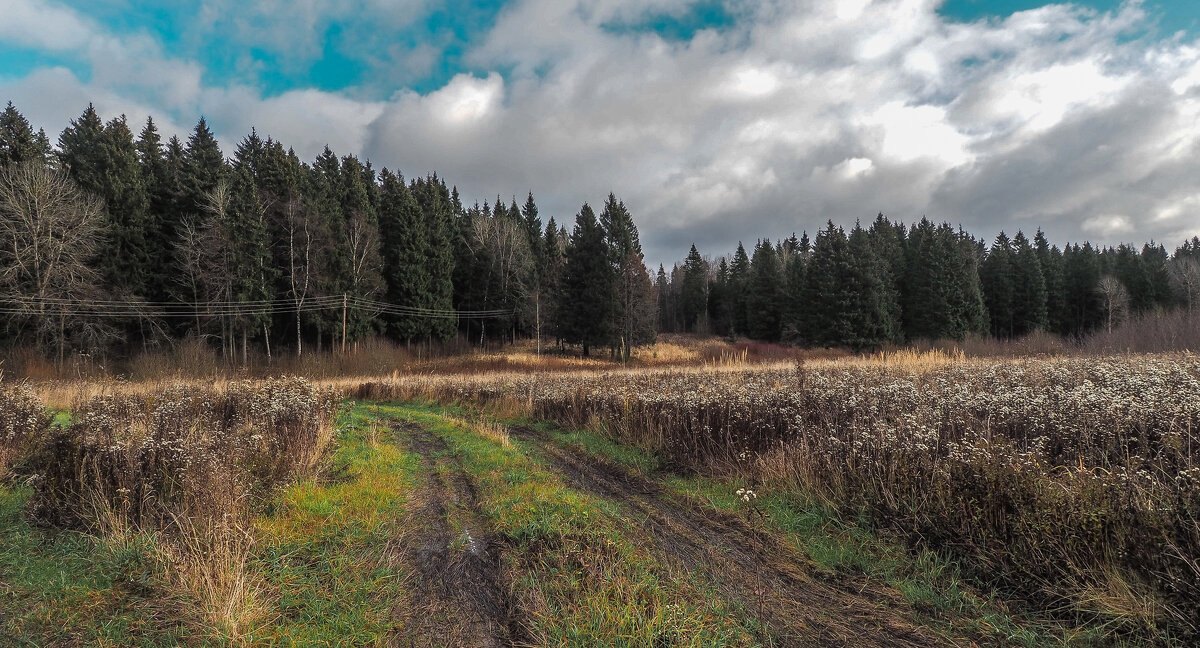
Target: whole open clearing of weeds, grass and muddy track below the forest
899 500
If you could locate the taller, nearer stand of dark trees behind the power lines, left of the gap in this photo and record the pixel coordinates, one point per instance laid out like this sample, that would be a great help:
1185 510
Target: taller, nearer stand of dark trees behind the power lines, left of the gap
116 242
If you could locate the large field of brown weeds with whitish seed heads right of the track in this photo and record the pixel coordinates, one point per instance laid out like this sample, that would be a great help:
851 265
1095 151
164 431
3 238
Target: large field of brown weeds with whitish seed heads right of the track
1072 483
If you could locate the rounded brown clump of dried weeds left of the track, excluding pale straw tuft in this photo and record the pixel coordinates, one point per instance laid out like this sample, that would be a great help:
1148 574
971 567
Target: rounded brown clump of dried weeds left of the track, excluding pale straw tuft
143 460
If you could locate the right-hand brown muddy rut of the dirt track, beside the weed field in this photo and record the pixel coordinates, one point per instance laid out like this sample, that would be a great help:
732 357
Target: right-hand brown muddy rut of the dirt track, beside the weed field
770 579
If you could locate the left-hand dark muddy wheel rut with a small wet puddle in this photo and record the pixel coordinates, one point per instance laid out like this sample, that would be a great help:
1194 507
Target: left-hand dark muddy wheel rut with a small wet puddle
459 597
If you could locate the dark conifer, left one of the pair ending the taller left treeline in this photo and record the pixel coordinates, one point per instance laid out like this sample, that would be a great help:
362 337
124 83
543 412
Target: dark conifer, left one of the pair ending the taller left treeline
586 299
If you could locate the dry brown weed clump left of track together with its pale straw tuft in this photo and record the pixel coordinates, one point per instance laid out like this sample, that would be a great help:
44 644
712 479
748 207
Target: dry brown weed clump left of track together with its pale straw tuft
188 466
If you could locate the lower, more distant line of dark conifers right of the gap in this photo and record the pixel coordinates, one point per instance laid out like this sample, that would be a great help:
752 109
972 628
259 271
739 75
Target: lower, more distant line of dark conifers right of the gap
890 284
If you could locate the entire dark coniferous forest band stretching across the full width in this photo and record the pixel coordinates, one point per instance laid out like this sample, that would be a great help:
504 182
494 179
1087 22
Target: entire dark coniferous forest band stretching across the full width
117 242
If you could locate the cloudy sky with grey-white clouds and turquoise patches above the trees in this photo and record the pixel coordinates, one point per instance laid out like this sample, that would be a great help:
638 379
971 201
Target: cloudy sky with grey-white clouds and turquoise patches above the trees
715 121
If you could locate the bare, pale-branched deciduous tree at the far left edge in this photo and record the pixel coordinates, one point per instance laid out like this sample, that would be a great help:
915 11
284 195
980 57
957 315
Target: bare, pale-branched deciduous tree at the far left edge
51 231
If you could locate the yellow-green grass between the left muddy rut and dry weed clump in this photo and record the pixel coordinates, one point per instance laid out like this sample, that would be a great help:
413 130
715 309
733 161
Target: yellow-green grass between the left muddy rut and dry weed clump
323 544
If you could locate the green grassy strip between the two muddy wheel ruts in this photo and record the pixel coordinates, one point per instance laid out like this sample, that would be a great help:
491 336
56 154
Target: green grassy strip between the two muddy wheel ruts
581 579
